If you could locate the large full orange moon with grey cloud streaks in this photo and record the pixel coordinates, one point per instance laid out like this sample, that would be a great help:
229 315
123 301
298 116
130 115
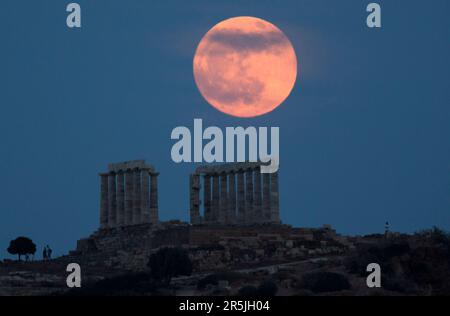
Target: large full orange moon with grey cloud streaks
245 67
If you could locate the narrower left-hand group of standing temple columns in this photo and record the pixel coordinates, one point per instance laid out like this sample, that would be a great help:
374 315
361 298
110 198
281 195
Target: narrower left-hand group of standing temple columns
128 194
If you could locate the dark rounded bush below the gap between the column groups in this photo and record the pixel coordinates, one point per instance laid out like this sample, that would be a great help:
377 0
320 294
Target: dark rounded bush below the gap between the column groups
167 263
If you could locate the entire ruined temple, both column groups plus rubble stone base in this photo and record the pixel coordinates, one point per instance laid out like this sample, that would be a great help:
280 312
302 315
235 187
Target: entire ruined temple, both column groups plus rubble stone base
239 212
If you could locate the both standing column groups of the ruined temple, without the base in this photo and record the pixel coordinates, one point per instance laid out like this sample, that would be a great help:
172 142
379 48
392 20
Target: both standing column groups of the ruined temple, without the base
233 194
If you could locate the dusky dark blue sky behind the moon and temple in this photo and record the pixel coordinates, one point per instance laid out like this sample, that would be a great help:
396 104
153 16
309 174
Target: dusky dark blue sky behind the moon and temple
364 134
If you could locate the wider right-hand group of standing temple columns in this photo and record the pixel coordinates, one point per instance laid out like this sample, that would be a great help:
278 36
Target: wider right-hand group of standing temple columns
235 193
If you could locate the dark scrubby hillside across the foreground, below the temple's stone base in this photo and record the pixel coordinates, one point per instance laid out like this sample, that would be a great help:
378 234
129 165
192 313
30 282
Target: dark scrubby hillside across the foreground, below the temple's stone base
416 264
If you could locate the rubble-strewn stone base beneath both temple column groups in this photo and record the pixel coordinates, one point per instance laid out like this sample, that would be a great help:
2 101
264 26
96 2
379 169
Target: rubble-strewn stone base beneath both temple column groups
210 247
